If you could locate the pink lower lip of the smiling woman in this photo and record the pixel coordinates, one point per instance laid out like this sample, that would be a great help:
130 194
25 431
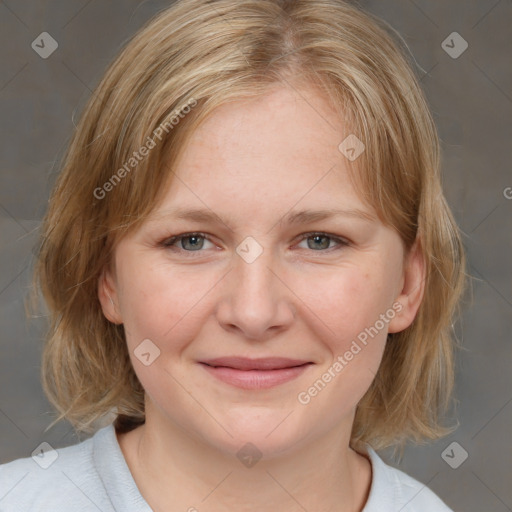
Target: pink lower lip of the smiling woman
255 379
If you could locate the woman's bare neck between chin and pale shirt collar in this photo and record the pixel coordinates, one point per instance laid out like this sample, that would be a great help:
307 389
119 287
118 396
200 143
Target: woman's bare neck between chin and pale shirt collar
173 467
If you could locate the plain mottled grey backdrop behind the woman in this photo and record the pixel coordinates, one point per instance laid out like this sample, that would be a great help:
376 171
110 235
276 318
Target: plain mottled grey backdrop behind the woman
471 100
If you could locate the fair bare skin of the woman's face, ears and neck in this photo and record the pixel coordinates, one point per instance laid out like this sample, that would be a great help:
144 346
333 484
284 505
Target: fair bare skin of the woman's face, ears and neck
252 163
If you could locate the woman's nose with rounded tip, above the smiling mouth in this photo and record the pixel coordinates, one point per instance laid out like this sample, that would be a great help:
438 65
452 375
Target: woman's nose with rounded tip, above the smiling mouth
256 301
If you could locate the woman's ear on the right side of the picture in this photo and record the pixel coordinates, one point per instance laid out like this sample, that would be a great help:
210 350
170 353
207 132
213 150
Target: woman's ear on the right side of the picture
413 287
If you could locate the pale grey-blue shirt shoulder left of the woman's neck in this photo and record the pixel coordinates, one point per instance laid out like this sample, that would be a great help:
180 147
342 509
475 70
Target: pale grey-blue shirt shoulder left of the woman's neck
61 479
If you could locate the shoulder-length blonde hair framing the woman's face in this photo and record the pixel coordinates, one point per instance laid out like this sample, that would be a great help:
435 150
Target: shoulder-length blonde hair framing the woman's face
204 53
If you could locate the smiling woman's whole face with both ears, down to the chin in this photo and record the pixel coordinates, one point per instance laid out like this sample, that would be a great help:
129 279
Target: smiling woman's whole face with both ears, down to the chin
250 283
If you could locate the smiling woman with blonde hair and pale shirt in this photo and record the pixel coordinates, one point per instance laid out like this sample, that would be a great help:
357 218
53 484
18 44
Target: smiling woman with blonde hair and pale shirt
250 264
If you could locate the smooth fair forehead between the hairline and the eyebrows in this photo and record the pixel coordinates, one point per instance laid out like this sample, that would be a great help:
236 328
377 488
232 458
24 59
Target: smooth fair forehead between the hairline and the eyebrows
269 152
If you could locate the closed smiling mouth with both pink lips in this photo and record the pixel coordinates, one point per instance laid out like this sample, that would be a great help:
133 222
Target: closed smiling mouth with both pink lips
253 374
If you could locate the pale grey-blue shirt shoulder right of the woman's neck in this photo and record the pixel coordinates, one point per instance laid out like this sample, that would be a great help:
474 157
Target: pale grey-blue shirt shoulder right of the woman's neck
393 490
